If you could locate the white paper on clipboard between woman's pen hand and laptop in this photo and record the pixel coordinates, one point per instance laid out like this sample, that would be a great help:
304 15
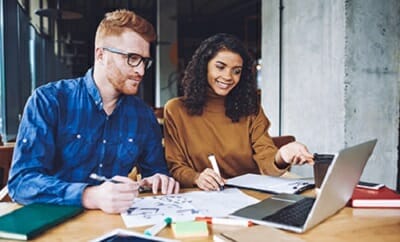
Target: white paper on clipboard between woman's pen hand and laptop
271 184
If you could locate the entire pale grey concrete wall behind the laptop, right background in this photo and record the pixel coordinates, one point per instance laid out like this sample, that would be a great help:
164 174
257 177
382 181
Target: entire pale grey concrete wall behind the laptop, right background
340 80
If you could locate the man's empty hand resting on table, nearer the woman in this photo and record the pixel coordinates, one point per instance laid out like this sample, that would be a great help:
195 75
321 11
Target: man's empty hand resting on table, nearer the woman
167 184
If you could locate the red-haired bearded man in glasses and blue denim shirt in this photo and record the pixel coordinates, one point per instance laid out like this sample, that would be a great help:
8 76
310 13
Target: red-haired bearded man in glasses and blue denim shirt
93 124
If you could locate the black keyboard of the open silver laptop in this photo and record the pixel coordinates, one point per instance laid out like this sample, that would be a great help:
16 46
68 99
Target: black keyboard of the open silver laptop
294 214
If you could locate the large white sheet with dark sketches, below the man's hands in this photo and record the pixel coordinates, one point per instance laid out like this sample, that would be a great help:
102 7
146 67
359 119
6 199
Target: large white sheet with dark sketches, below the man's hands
185 207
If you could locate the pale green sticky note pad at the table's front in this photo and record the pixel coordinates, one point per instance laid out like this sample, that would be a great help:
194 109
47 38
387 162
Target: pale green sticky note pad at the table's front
189 229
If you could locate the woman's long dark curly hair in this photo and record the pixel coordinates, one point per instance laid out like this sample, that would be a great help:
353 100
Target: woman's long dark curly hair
242 100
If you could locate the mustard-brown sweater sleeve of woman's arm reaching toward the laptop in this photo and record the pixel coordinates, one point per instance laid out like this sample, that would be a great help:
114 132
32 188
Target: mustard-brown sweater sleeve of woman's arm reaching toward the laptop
263 146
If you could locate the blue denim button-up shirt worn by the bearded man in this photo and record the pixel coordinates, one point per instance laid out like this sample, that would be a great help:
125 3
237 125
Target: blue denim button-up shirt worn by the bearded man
65 135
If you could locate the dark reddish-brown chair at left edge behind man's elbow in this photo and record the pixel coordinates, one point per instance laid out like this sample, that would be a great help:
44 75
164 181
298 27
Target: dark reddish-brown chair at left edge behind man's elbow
6 153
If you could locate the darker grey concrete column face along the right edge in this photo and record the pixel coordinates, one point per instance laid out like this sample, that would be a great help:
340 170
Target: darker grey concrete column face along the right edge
372 83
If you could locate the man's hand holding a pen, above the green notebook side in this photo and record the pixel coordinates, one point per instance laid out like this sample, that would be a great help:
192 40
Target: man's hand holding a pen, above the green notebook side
111 197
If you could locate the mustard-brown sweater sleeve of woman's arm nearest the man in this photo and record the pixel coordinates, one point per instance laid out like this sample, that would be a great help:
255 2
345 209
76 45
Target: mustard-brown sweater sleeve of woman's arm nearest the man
174 147
